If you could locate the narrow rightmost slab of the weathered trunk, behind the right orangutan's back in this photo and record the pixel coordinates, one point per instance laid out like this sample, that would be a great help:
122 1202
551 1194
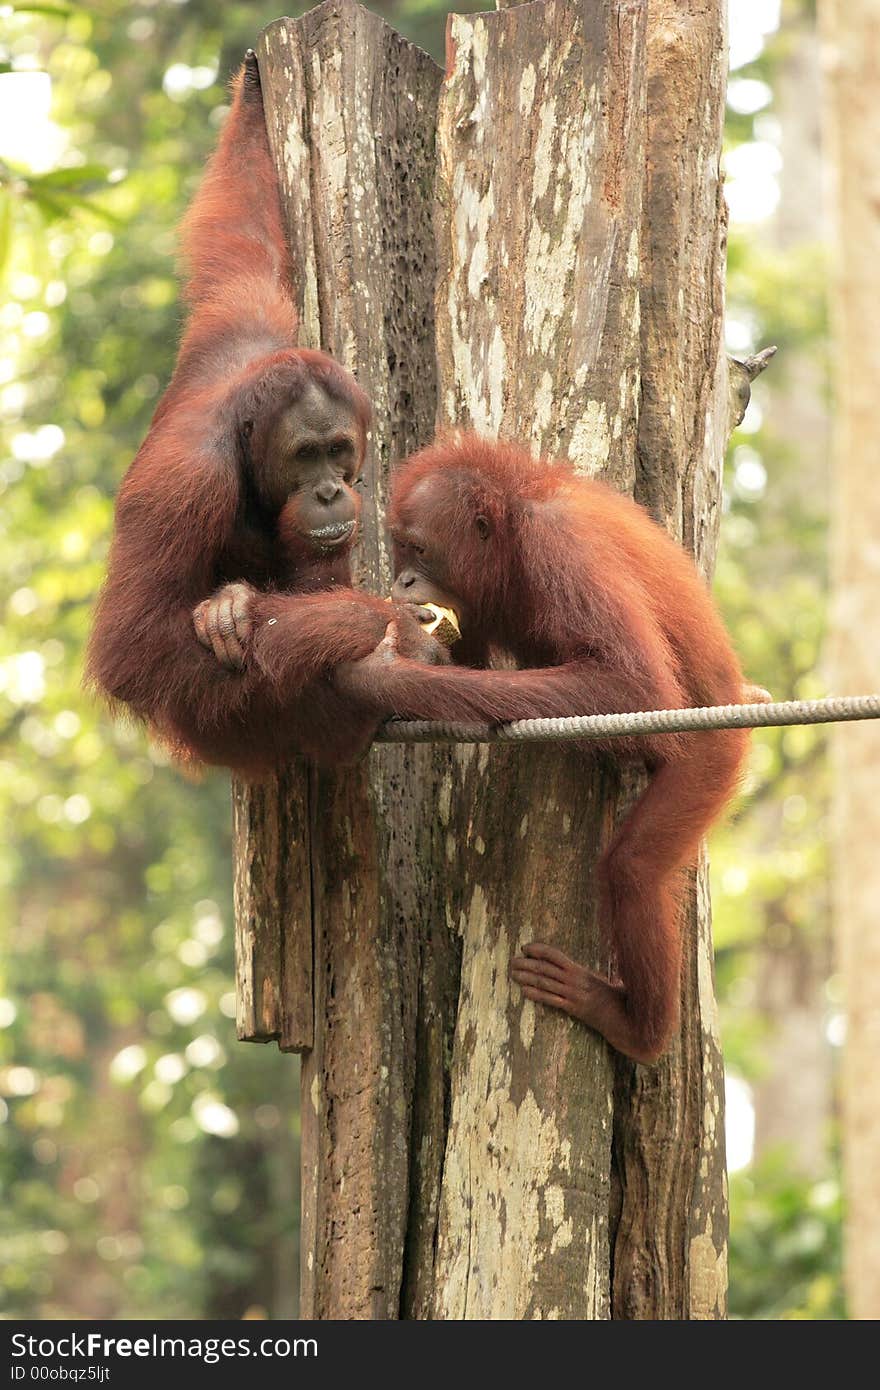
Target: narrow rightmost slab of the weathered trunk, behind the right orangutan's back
671 1248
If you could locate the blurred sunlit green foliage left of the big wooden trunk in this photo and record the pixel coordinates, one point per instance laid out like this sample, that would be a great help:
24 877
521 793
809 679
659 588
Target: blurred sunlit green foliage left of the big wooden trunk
147 1150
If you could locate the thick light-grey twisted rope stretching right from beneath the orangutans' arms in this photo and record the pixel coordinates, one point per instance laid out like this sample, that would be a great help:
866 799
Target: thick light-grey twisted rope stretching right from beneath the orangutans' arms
643 722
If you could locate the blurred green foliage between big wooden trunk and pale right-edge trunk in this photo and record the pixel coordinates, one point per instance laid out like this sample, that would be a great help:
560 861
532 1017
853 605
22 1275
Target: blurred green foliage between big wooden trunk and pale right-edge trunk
771 864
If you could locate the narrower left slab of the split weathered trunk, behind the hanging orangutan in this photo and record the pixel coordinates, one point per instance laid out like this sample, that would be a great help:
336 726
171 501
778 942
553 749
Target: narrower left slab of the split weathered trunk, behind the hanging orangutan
351 113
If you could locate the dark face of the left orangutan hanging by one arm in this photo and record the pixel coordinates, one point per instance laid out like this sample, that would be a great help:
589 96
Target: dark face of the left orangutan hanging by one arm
307 468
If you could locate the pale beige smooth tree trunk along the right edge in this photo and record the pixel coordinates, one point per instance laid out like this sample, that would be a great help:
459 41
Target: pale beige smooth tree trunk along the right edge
853 34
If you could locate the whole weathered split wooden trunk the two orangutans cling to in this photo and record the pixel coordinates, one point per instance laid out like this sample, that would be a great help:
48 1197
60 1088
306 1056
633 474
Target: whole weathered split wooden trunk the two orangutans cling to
479 251
